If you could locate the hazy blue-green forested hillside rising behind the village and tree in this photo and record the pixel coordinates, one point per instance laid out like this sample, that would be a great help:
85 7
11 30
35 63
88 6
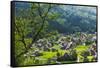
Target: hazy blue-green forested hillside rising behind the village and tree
71 18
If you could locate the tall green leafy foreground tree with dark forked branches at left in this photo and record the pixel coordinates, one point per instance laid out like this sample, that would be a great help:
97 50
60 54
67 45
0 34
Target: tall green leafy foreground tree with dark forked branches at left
30 26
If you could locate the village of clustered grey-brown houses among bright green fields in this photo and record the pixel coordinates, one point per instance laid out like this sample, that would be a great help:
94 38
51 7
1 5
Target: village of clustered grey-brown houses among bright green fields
77 47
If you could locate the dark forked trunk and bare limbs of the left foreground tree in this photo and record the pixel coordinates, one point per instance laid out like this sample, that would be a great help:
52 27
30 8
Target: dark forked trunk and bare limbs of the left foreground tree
34 38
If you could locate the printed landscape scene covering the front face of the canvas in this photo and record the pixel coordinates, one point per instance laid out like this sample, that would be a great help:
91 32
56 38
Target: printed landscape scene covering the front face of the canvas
54 34
